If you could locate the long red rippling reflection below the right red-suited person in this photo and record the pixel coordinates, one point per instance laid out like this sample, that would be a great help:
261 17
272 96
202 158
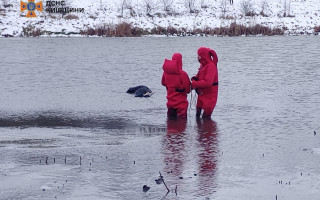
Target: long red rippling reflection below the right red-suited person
207 155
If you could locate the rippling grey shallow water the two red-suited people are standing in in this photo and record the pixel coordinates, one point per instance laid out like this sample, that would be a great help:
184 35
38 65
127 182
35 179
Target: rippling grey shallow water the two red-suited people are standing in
64 98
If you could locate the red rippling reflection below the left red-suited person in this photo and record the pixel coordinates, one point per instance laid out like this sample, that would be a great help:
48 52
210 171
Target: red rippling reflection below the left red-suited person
174 145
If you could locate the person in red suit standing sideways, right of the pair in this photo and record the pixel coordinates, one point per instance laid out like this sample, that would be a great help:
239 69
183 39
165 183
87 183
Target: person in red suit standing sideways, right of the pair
206 82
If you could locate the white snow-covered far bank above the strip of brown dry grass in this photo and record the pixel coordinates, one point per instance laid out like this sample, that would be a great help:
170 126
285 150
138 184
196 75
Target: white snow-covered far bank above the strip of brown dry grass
302 16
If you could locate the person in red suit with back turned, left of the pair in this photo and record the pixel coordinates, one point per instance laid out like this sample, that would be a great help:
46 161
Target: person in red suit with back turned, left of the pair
177 84
